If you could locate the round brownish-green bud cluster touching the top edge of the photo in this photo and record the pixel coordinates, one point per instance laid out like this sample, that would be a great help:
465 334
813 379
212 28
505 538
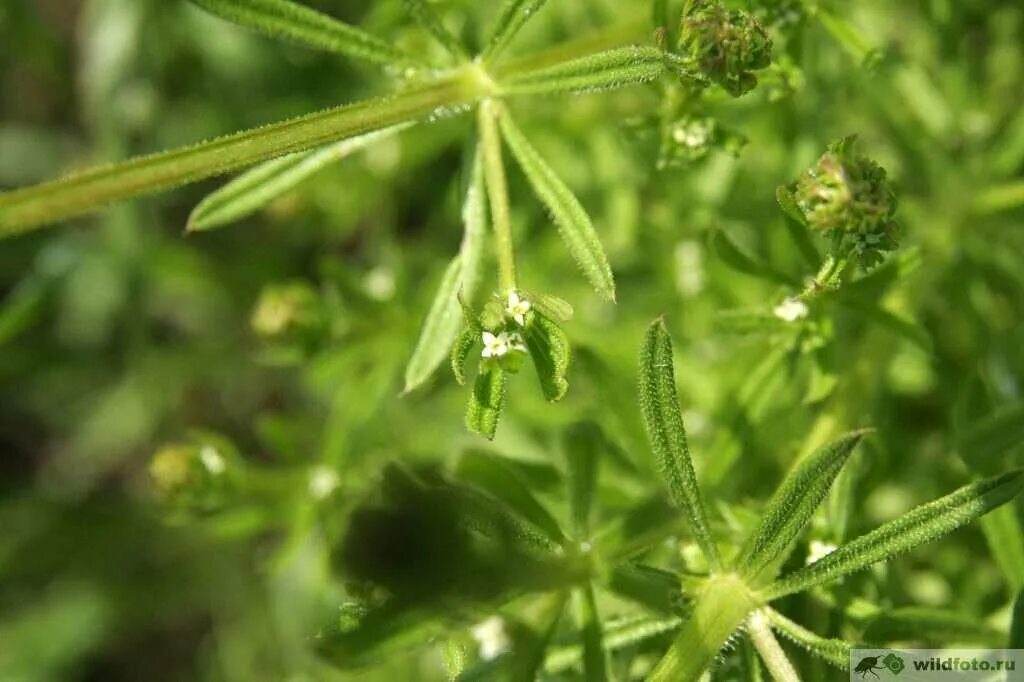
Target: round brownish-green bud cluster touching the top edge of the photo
724 46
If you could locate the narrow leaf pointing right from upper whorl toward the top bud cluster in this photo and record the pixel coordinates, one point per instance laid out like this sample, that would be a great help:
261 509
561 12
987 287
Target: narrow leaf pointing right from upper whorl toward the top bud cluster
605 71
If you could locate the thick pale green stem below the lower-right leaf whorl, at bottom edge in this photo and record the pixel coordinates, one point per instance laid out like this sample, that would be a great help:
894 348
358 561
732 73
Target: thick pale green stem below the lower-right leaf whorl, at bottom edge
721 607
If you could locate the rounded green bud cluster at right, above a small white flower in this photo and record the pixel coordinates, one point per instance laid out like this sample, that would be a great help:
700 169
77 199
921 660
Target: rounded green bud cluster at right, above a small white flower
845 194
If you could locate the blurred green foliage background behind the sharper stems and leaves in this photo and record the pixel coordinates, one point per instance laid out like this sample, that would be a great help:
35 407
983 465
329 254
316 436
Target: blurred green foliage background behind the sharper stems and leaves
119 335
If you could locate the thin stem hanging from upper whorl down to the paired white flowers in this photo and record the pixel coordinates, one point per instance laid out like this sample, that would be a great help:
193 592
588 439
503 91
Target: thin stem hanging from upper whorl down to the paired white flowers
494 173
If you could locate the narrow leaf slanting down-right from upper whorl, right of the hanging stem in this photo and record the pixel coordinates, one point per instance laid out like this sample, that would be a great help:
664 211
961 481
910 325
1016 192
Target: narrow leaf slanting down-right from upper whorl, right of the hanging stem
573 222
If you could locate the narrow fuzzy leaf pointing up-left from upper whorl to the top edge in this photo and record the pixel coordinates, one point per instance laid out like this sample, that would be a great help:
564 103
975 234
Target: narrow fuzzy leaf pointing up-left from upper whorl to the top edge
283 19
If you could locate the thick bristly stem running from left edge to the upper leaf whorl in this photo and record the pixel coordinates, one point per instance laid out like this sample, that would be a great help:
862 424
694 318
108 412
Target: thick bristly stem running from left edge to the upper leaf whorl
22 210
